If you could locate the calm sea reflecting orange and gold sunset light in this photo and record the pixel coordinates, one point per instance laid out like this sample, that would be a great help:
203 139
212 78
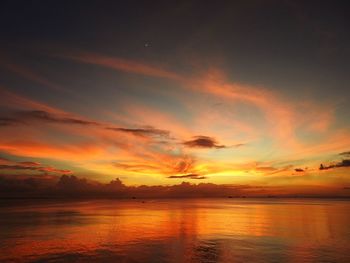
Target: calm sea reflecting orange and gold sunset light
179 230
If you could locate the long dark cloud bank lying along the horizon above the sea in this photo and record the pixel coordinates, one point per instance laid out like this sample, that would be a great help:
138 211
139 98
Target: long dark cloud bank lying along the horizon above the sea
72 187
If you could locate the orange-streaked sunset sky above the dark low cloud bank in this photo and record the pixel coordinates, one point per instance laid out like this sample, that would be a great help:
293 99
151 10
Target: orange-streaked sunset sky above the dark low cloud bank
233 93
